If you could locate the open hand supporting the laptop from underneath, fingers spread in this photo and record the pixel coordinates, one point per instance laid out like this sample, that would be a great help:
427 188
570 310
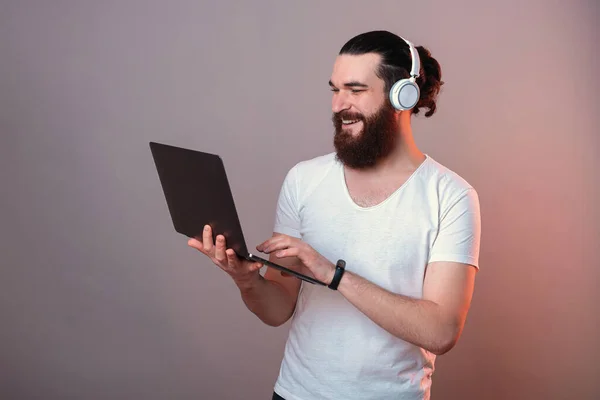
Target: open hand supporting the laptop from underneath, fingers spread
242 271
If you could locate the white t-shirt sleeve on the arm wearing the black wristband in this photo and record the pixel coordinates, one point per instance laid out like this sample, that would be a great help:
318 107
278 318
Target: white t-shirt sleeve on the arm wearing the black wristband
458 238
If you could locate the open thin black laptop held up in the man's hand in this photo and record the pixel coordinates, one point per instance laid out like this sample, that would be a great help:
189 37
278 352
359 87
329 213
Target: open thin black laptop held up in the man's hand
198 193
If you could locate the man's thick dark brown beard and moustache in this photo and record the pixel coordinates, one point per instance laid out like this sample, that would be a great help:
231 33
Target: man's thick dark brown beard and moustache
374 142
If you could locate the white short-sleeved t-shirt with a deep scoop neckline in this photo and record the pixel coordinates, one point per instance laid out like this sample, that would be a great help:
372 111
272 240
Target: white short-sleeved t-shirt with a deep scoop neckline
333 350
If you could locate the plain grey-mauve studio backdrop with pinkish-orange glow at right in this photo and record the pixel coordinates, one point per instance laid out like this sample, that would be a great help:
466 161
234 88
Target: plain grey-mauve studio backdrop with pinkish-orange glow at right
100 299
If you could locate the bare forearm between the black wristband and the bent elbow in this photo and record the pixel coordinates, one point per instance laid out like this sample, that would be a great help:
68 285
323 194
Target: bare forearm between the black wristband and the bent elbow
420 322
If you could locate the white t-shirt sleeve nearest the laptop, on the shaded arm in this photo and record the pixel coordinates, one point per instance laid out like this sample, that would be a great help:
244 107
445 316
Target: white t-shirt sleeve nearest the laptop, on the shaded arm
287 216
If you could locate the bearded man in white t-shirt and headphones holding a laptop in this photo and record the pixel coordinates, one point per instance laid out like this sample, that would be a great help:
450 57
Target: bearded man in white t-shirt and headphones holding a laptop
406 227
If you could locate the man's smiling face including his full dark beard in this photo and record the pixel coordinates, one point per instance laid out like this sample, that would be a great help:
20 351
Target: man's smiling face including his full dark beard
364 121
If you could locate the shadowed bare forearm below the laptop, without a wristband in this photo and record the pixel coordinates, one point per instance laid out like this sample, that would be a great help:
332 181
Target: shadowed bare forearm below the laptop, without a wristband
267 300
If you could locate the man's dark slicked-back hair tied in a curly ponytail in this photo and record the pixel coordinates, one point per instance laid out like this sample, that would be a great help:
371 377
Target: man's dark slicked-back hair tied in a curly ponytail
396 62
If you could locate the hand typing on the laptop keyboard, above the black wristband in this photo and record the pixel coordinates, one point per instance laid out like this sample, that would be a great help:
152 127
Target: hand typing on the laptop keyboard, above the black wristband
287 246
